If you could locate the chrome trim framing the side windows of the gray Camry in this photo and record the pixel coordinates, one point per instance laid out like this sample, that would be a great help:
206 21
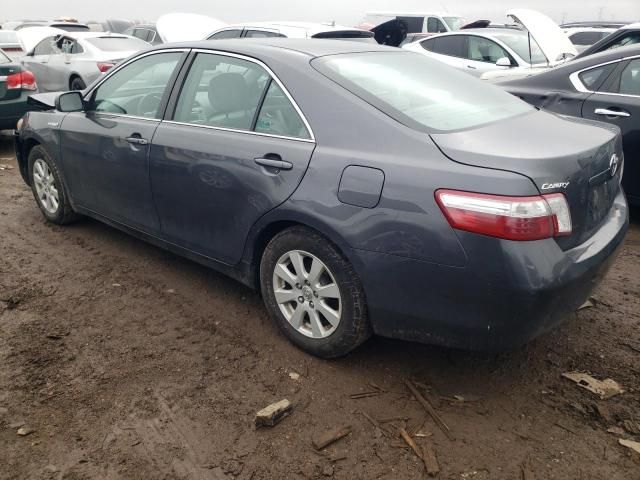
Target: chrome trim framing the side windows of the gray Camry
114 70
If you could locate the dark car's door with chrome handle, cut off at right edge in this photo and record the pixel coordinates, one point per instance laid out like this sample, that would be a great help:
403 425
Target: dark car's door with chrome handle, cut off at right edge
618 102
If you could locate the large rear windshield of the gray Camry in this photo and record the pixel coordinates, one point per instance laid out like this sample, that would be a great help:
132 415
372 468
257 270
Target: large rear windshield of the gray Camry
420 92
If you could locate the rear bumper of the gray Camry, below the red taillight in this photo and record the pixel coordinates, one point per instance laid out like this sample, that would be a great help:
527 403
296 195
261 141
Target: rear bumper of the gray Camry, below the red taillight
507 294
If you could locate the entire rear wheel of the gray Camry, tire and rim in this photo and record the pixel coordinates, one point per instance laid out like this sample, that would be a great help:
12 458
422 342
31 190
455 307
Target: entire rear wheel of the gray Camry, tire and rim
313 293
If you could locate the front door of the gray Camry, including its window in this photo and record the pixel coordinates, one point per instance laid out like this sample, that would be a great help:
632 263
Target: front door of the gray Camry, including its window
105 149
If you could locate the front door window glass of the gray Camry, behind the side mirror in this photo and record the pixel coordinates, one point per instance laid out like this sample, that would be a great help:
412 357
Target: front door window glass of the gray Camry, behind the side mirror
138 88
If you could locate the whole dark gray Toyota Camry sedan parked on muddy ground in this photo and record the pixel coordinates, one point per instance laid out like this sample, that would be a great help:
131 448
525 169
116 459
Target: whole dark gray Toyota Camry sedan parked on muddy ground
361 189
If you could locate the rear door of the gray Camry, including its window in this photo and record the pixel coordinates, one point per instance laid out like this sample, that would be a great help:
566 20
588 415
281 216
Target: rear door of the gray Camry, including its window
234 147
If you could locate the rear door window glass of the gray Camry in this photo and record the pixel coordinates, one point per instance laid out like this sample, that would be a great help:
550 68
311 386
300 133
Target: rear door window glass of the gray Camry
237 94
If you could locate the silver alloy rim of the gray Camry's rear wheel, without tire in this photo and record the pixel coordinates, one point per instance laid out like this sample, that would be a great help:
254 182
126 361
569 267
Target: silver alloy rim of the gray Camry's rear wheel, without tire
307 294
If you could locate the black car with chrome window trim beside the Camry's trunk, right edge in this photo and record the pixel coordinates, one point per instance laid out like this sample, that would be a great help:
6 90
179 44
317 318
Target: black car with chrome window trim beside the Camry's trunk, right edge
604 87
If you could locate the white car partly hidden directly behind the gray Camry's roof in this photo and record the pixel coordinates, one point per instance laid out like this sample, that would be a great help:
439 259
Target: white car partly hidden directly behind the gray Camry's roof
291 30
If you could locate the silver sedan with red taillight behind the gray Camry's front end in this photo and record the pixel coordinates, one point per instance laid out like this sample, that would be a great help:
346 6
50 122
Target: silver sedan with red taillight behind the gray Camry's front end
72 60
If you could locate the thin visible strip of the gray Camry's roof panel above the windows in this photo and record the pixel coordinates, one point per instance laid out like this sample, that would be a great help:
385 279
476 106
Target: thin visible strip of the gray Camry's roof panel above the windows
257 46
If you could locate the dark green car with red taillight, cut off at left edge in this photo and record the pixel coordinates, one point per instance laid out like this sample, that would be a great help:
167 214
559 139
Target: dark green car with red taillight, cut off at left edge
16 84
